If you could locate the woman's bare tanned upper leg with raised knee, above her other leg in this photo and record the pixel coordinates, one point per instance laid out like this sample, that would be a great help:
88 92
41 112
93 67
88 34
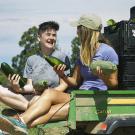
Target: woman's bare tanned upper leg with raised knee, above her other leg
44 103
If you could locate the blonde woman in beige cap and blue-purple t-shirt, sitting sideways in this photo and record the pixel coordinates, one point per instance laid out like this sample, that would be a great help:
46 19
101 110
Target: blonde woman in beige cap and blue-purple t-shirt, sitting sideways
40 111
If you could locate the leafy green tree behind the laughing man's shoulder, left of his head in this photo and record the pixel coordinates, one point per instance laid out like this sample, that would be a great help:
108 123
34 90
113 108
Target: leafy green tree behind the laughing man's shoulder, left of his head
30 44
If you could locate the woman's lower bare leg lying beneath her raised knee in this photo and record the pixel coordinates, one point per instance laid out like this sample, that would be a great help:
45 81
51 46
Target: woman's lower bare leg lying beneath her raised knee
57 112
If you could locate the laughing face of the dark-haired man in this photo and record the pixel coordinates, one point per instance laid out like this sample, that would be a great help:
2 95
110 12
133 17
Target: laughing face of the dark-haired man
48 38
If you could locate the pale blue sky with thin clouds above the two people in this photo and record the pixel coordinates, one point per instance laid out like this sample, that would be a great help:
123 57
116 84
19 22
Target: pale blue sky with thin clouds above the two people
16 16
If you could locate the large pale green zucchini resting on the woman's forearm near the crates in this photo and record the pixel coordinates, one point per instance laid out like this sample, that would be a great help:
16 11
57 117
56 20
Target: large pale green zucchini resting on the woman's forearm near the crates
107 66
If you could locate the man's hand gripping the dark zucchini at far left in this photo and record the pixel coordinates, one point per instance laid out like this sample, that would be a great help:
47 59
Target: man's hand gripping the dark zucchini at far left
14 81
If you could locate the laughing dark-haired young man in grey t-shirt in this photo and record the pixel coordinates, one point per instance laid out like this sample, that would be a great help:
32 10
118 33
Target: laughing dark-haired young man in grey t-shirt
36 69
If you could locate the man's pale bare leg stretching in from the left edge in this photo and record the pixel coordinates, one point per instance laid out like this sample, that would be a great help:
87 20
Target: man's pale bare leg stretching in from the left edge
13 100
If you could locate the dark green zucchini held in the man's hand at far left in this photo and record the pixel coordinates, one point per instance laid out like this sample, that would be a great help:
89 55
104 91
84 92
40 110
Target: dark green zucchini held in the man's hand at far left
6 69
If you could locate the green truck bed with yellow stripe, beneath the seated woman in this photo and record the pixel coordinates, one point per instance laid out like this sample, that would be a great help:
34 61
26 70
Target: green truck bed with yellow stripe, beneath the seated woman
109 109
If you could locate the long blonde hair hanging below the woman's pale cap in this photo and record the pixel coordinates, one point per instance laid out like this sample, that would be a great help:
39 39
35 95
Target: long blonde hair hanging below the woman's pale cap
89 40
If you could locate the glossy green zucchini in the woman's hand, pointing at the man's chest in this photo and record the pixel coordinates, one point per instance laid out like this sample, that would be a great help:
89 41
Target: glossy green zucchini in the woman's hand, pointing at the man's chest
55 61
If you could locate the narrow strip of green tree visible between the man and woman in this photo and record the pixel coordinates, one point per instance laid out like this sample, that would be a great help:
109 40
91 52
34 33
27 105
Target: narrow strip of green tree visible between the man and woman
75 50
